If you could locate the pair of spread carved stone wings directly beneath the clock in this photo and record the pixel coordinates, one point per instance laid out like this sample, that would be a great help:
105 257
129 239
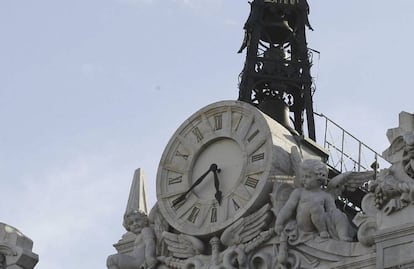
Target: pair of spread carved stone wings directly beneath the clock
239 240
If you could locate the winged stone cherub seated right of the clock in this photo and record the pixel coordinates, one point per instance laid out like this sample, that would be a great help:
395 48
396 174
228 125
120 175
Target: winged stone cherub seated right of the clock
313 206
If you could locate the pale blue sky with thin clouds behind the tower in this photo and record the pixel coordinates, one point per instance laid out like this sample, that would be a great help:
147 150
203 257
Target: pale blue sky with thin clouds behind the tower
90 90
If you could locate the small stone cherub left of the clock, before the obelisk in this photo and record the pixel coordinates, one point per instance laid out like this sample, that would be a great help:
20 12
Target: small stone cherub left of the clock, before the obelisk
143 254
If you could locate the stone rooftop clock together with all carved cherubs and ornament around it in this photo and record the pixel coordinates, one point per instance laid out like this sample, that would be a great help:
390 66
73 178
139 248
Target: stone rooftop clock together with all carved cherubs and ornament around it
287 218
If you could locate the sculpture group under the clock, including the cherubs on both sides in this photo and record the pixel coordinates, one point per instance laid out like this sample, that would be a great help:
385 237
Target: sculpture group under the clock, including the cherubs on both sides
257 240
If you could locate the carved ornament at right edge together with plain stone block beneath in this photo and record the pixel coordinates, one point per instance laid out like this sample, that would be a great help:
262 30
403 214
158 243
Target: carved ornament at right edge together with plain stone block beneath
386 220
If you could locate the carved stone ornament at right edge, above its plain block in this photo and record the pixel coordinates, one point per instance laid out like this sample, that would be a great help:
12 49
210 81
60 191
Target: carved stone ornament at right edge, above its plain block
392 195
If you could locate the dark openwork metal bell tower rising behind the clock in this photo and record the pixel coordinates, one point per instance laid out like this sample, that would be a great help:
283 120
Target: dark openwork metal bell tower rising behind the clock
276 75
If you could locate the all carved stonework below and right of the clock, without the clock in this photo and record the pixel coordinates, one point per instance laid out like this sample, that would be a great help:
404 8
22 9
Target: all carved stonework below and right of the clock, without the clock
299 226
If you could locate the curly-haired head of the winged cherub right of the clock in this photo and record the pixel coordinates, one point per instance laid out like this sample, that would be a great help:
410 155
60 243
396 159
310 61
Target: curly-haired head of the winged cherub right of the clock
314 174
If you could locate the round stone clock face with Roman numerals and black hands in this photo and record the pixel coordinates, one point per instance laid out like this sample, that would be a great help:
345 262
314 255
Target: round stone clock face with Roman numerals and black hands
235 137
